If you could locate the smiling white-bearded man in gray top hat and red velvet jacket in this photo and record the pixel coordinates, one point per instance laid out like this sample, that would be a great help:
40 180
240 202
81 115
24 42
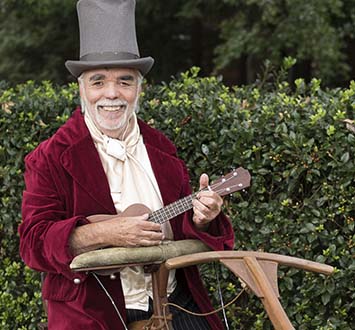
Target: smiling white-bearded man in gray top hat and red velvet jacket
101 161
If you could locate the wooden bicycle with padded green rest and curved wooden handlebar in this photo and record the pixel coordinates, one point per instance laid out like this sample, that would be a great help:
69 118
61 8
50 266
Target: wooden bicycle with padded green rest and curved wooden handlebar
258 270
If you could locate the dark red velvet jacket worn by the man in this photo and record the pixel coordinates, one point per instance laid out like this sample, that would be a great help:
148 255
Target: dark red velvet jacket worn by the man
65 183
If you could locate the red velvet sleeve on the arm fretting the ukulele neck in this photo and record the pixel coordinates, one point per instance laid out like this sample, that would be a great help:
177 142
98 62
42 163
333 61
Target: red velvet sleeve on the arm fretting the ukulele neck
220 235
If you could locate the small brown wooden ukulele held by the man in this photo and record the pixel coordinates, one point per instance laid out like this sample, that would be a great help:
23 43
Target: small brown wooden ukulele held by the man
236 180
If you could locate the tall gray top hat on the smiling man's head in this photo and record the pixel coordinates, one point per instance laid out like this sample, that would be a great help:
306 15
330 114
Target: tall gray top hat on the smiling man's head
108 37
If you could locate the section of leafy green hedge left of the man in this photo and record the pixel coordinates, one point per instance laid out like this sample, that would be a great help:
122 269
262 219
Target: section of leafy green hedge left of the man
29 114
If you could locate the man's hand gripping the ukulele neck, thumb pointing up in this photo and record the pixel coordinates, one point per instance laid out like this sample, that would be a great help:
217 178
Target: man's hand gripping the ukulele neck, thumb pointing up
206 206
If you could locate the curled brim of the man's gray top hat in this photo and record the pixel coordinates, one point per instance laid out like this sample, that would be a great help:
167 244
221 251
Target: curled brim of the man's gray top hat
76 68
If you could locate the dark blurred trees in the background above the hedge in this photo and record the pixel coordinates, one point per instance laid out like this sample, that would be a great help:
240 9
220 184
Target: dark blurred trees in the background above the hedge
229 37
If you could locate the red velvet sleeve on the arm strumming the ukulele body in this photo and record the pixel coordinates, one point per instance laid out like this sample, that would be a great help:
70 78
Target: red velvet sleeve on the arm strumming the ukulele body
46 227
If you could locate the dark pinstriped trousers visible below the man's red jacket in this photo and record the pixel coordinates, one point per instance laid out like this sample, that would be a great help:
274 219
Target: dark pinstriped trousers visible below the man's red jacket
181 319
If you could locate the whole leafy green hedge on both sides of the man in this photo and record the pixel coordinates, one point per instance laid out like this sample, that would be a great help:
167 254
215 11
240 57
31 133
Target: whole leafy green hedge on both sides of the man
294 142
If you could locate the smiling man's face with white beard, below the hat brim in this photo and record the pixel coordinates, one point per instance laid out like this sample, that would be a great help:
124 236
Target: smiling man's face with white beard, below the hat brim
110 97
